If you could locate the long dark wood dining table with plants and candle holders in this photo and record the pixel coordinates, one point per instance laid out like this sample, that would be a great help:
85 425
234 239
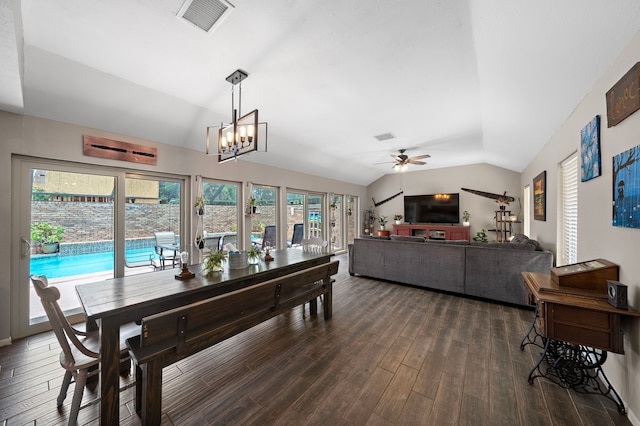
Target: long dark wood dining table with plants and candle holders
111 303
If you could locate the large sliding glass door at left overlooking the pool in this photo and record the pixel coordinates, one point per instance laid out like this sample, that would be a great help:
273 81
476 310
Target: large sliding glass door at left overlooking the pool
76 224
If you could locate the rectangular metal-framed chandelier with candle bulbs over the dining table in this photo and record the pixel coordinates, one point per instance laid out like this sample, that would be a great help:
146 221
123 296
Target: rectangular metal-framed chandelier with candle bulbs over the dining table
242 134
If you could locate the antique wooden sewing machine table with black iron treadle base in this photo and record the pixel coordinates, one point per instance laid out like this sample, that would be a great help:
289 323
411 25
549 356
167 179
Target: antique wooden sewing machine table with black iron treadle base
575 332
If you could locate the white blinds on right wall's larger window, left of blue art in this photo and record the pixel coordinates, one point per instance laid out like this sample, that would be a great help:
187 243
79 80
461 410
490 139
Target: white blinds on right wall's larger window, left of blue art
569 210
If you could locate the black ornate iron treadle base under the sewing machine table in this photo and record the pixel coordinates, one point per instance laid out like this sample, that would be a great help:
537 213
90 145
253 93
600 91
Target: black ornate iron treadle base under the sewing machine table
571 366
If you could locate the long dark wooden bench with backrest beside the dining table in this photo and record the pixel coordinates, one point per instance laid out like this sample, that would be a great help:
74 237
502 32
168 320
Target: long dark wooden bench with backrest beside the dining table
170 336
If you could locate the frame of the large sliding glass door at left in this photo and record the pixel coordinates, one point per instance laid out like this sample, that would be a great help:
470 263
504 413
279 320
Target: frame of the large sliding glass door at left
21 196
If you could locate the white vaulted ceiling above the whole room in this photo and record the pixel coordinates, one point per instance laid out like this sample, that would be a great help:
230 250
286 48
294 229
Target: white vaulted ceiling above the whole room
467 81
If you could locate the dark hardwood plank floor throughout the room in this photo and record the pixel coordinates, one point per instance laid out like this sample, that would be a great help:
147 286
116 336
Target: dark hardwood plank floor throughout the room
391 354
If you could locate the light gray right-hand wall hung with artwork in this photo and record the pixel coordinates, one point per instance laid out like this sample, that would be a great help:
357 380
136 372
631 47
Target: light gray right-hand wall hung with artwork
597 238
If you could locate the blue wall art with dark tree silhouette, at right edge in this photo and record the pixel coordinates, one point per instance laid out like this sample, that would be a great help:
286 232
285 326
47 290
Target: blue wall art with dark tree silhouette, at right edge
626 188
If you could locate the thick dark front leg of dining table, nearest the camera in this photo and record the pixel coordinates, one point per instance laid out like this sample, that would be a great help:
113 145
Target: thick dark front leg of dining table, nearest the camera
109 369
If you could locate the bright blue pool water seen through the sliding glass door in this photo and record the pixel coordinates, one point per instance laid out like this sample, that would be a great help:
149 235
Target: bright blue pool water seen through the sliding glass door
65 266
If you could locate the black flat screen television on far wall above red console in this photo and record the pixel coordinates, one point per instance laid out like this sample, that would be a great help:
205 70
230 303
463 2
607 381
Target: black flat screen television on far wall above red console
433 208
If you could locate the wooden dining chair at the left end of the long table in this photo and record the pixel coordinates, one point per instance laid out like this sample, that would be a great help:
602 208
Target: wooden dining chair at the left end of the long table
80 349
